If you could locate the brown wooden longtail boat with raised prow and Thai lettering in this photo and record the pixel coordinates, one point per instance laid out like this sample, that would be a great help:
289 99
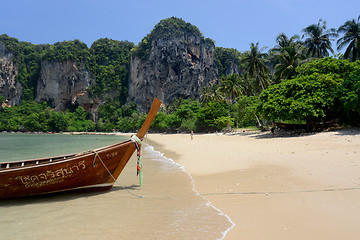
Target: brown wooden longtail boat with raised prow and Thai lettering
93 170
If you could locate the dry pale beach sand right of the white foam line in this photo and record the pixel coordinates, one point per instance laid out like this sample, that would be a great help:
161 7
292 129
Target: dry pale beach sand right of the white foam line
288 187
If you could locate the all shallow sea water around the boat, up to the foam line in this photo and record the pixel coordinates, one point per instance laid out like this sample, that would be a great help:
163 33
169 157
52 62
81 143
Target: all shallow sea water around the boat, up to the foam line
166 207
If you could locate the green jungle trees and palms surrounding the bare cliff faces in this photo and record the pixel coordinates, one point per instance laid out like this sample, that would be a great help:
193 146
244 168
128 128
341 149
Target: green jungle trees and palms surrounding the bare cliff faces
293 82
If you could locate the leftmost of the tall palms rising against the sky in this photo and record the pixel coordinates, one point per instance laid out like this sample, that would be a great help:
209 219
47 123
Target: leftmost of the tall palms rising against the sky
255 67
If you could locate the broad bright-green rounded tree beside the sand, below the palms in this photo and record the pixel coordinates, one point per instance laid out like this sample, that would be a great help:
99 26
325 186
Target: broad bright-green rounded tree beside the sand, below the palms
305 98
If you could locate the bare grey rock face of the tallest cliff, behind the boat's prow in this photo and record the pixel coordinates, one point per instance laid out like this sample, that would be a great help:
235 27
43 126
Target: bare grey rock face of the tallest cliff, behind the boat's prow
176 67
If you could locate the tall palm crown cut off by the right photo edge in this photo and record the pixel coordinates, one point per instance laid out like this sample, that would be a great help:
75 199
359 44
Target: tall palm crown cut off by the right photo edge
351 30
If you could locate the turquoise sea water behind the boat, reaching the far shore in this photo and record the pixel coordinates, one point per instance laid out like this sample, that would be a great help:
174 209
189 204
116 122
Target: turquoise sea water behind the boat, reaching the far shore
22 146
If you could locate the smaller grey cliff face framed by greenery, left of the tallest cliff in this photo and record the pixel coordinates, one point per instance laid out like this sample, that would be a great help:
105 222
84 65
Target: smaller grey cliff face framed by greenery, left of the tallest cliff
63 84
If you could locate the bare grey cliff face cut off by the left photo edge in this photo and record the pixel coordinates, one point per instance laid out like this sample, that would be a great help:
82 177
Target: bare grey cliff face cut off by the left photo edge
9 87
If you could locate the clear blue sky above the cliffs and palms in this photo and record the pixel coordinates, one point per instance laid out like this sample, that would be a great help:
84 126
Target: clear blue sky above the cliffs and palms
230 23
